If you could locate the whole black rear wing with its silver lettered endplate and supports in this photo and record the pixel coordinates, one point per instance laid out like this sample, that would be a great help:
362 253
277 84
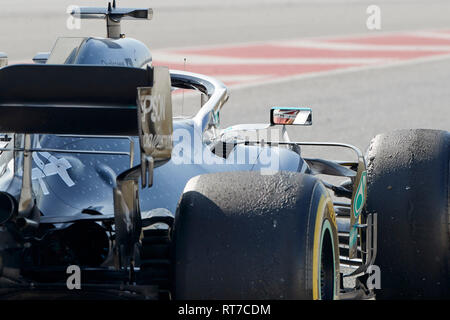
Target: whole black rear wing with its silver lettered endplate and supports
91 100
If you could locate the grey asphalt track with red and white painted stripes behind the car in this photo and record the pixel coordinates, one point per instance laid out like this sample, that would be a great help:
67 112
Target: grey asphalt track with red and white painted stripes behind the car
314 53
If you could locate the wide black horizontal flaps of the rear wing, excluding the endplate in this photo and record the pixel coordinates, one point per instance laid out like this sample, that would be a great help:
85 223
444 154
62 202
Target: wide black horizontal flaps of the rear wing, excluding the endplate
71 99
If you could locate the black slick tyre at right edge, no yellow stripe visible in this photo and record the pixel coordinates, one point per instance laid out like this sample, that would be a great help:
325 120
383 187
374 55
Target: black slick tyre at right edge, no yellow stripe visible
408 186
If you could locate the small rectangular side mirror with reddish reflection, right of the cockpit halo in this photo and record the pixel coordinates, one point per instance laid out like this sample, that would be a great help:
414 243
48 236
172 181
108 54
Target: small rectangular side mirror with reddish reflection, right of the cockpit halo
291 116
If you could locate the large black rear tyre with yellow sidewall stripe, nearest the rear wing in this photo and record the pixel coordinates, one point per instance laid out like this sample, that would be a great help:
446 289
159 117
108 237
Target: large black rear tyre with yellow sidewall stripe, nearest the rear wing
243 235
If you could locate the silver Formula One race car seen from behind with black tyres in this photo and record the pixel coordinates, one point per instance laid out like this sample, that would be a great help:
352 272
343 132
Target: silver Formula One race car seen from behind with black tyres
197 212
